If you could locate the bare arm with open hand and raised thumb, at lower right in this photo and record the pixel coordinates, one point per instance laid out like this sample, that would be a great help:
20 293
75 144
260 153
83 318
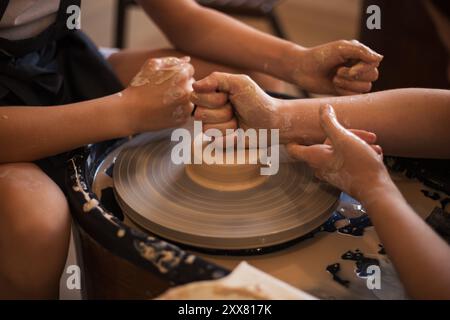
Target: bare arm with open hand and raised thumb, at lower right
421 258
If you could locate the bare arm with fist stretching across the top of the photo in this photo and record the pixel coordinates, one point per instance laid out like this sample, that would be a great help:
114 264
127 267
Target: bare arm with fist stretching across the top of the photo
216 37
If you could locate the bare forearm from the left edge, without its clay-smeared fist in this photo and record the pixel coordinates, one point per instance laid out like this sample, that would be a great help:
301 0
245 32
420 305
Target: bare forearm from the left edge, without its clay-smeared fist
31 133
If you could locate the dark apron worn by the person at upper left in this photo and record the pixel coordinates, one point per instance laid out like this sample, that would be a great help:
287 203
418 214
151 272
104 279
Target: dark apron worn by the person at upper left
58 66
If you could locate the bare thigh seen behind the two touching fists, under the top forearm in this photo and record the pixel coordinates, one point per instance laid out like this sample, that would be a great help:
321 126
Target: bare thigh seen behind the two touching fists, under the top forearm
127 63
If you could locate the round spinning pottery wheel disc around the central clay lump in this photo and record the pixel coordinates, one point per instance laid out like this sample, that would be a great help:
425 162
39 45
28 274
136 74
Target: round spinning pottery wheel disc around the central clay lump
159 196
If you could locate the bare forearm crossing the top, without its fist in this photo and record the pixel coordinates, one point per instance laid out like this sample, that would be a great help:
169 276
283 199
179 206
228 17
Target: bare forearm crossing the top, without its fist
216 37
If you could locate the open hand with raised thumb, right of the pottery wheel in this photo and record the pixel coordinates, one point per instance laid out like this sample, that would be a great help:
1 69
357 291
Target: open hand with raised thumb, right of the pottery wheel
348 159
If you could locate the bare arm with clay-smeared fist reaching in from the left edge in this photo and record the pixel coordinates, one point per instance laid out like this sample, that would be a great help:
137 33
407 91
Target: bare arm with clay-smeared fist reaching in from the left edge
159 98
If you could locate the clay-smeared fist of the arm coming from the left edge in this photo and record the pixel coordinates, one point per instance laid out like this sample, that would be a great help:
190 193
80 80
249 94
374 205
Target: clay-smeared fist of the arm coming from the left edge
159 94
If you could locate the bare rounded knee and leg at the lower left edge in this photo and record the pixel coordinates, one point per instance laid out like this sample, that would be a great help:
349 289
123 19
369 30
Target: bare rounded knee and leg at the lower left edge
34 232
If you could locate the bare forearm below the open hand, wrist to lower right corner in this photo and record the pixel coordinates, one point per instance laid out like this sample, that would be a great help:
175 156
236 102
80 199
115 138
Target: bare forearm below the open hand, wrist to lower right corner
421 258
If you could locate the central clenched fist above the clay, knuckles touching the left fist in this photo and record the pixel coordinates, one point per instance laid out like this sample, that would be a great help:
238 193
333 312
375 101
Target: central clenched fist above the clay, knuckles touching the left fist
226 101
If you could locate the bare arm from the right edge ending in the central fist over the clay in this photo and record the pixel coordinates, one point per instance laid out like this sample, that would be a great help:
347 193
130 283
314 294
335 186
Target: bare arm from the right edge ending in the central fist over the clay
408 122
